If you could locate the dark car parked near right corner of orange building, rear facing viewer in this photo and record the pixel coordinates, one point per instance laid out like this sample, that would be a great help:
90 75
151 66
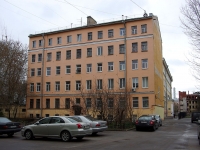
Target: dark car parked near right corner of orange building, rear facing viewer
146 121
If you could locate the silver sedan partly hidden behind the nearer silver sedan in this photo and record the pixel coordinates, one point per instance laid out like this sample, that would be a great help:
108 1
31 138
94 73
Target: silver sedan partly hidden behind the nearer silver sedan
96 125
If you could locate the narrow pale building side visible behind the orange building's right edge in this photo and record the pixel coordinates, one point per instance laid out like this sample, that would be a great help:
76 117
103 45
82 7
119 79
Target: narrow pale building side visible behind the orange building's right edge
167 81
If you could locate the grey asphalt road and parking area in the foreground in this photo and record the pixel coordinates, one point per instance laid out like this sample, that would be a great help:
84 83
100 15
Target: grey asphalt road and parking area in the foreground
173 135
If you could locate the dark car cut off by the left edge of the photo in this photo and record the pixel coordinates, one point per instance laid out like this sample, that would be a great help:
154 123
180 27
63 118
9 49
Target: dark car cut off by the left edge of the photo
8 127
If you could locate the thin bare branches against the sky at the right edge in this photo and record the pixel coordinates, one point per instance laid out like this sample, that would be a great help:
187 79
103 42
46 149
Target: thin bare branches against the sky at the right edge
191 24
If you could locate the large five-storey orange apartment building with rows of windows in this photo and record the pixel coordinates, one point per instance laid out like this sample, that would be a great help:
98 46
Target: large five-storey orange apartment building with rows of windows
69 69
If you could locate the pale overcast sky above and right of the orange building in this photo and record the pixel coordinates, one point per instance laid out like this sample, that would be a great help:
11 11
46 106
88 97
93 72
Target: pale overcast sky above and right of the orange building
19 18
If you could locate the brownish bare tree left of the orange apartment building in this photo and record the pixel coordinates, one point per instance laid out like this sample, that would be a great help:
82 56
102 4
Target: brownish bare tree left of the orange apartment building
13 69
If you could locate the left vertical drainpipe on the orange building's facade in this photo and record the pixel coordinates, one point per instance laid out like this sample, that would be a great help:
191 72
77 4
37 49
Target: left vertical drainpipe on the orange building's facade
42 77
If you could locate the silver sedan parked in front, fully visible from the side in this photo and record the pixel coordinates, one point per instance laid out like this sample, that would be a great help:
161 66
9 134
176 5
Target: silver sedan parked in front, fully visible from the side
57 126
